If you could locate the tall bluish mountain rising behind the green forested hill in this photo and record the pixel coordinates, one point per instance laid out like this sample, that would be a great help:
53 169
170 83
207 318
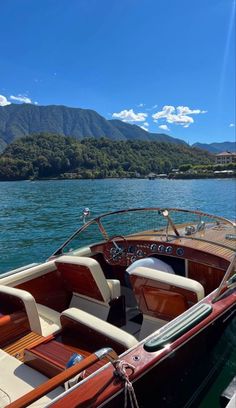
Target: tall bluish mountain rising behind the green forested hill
22 120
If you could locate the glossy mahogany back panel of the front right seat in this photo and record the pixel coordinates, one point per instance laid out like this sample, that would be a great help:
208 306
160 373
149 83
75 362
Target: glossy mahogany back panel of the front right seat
159 299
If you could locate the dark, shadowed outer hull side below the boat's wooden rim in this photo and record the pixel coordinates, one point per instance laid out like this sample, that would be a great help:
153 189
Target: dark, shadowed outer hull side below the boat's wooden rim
184 376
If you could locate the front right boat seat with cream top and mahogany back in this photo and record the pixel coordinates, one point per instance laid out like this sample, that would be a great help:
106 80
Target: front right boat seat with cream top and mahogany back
161 296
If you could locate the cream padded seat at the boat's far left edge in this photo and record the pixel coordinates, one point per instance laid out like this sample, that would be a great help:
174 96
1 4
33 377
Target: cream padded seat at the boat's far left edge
42 319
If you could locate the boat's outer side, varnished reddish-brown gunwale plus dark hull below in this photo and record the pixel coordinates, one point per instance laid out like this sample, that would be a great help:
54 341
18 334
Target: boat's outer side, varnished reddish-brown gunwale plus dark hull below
170 379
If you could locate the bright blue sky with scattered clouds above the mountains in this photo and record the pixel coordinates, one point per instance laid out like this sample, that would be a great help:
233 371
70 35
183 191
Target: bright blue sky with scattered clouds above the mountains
168 66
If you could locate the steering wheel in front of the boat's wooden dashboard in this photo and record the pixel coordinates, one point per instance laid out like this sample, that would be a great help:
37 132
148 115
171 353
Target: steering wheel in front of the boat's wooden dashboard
115 251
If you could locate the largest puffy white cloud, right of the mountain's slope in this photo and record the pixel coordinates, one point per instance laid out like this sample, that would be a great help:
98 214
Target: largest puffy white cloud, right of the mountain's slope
179 115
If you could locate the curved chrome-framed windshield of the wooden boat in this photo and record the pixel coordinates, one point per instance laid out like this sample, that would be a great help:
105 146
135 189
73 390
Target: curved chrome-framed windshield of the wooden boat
151 221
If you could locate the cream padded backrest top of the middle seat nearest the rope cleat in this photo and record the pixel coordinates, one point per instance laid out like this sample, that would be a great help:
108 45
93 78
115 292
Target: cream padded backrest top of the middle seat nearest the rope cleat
99 327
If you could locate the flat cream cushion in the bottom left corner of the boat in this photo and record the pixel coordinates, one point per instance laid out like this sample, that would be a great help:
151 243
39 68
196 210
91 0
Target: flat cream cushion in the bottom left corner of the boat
16 379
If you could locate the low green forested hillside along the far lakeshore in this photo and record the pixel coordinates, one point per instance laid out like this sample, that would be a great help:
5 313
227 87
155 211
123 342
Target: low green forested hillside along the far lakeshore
46 155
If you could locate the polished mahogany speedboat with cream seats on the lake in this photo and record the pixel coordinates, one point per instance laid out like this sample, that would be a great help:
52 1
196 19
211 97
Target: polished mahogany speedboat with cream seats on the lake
137 307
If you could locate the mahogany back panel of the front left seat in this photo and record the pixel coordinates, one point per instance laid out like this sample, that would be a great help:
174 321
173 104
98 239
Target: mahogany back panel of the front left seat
78 278
